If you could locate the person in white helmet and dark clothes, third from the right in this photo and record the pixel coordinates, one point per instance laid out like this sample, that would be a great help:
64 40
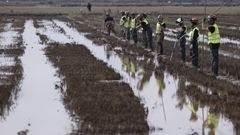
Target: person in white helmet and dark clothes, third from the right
181 36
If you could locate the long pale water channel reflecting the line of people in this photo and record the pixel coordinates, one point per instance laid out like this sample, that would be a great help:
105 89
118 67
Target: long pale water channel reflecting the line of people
168 113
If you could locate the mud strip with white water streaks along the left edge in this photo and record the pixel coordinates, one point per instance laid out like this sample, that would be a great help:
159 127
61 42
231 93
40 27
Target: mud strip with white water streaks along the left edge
11 70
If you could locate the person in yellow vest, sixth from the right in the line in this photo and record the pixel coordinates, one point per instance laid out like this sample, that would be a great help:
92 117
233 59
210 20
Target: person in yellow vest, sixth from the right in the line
133 27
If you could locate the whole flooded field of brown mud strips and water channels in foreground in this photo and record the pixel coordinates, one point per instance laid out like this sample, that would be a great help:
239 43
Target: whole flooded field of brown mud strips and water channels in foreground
59 76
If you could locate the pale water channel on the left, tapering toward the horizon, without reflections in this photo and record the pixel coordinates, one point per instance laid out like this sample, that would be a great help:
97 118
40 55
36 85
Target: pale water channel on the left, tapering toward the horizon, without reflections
39 109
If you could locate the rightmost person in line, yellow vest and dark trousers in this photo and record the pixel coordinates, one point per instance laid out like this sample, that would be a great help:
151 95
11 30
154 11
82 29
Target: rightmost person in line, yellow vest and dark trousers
214 40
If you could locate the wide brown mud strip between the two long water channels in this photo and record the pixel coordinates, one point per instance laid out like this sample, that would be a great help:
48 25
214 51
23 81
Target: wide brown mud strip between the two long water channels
101 107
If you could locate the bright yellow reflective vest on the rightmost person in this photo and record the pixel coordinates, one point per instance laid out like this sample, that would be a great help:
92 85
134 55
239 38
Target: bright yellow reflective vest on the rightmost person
214 38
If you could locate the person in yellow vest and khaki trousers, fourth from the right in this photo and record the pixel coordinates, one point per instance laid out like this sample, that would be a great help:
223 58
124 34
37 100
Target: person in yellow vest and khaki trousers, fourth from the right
160 27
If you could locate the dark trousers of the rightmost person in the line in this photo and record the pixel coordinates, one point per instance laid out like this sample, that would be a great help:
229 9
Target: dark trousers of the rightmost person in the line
215 58
